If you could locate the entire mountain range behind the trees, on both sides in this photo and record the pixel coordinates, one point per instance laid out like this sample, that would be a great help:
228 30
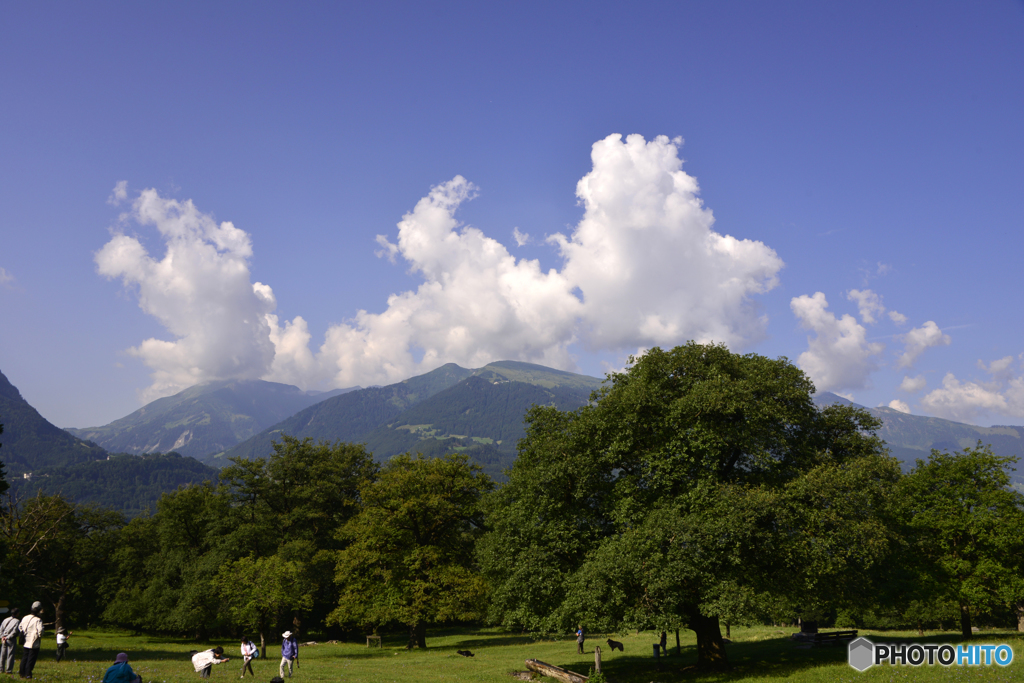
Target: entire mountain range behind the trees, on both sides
186 439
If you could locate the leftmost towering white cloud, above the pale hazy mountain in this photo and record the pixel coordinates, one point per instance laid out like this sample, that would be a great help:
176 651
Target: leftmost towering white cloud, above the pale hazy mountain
200 291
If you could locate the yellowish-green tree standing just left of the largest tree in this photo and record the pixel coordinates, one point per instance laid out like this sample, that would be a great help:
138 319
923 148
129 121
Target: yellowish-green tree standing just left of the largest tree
409 558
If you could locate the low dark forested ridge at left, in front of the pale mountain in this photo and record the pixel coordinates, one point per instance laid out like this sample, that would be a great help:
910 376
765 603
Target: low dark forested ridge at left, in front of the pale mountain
130 484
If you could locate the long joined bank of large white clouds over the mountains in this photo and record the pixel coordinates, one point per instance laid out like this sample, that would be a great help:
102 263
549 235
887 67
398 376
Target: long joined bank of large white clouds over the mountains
644 268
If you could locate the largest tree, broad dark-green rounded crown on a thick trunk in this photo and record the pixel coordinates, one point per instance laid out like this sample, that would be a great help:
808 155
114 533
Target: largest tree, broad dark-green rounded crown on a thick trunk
696 477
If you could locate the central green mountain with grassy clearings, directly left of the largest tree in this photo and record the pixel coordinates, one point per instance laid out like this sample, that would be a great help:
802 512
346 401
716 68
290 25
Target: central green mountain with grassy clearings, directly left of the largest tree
483 416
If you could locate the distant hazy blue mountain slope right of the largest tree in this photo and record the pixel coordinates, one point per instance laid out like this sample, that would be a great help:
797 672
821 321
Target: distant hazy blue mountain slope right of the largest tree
913 437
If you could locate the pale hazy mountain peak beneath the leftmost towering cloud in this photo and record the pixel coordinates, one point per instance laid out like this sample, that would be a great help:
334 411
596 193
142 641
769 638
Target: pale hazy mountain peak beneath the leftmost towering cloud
203 419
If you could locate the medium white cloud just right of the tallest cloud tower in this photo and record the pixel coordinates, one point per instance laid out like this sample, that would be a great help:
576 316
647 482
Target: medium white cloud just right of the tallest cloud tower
839 357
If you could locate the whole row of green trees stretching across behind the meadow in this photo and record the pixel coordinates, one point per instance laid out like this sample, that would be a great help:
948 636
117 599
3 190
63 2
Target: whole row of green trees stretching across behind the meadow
699 489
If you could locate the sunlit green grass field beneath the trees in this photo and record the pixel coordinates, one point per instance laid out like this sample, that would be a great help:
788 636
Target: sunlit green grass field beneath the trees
760 654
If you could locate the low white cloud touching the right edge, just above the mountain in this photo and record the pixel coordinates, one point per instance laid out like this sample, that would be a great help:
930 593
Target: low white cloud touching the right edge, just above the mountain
969 401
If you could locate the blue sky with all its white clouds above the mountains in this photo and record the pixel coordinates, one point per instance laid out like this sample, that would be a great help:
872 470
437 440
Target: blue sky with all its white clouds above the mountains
868 152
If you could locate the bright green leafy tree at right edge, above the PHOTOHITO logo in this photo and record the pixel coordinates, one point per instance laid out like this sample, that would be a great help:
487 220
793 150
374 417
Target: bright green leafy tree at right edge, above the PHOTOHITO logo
968 526
